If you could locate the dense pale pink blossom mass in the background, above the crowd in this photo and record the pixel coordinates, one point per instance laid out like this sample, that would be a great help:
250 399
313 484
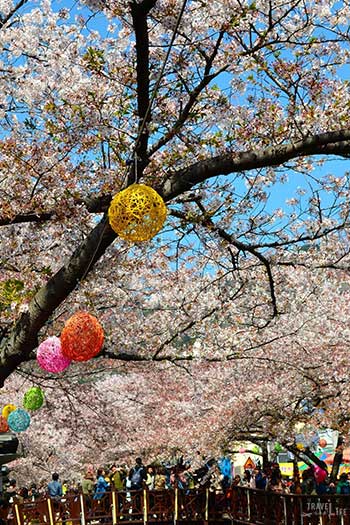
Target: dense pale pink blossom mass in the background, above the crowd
257 384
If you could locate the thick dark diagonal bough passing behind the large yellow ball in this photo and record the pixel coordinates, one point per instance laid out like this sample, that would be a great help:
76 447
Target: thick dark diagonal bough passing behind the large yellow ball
18 345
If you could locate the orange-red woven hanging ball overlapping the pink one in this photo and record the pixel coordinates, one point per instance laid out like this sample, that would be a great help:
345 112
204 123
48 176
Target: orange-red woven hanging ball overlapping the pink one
82 337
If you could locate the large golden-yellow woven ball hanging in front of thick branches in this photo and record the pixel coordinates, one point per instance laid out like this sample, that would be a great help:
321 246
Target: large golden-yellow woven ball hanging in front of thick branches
137 213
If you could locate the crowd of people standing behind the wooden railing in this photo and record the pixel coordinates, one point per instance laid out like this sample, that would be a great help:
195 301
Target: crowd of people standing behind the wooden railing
211 474
